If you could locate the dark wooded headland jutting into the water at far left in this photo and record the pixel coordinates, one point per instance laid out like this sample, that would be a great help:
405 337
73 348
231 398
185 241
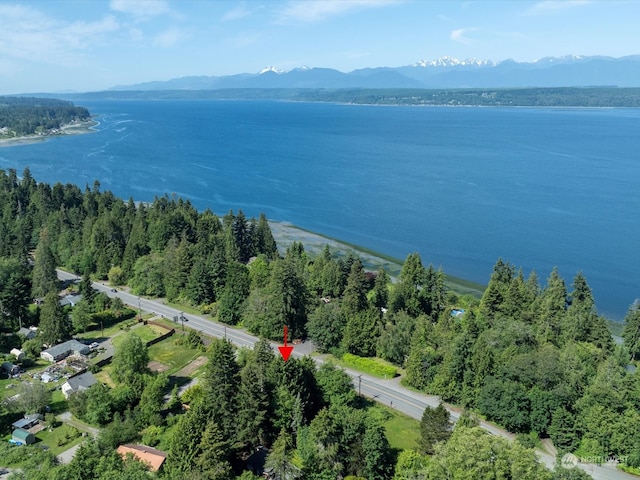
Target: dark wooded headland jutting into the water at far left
20 116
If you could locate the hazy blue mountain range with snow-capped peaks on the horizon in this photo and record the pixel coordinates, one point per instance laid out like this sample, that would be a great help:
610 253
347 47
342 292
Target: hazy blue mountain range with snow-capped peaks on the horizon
445 72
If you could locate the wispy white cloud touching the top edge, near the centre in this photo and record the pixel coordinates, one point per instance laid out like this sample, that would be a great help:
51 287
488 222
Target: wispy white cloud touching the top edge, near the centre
318 10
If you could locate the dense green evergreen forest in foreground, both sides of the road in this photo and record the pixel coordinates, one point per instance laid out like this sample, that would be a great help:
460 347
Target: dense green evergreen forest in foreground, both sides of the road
536 359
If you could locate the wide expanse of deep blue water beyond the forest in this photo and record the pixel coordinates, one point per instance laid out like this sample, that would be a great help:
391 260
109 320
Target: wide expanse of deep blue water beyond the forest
462 186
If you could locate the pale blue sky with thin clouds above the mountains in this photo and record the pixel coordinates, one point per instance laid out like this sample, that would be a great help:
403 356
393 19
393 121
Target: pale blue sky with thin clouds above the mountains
49 45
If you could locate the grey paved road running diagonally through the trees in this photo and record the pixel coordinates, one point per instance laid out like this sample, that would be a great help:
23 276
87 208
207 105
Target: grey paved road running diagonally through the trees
388 392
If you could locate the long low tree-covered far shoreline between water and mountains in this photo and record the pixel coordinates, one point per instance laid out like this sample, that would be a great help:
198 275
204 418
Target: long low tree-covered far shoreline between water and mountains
521 97
